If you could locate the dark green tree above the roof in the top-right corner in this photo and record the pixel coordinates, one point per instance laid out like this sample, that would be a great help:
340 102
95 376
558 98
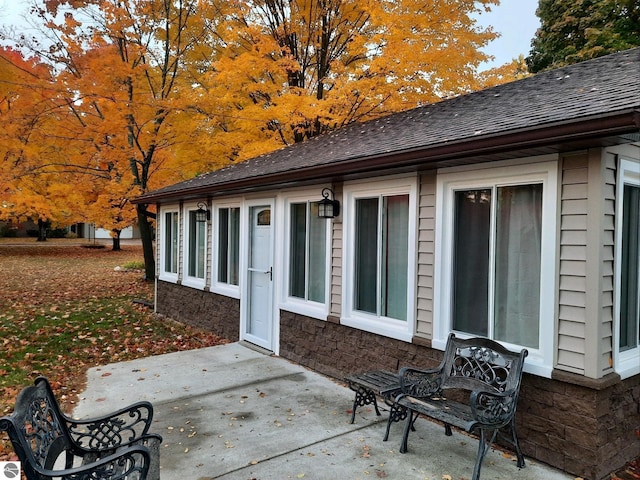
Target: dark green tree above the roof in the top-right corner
573 31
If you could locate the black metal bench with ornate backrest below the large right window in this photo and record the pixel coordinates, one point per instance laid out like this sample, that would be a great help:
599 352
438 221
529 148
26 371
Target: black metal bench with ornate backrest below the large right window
478 367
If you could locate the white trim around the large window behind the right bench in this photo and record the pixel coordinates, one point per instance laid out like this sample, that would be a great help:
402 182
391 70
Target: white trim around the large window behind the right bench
539 361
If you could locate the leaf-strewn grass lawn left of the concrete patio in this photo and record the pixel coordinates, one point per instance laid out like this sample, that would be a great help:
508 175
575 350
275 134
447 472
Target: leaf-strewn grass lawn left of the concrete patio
65 308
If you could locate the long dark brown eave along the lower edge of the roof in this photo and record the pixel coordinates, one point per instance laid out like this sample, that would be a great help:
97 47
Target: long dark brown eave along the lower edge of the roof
555 135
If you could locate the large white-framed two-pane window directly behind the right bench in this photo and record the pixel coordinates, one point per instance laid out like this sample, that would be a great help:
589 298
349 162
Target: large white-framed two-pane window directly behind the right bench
495 257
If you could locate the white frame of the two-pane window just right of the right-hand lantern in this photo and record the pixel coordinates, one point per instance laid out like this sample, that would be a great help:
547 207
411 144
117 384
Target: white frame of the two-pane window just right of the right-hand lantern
388 327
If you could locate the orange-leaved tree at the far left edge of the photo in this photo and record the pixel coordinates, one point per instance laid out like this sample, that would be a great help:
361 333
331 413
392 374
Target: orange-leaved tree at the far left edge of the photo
25 154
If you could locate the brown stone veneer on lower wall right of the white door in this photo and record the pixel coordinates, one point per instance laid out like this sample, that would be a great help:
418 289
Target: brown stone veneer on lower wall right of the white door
588 431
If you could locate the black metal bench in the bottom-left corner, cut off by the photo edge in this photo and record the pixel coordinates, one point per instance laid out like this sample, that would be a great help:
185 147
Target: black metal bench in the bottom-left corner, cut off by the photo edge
51 445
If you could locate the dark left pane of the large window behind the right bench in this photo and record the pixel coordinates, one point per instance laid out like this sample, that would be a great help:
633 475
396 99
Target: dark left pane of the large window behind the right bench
472 224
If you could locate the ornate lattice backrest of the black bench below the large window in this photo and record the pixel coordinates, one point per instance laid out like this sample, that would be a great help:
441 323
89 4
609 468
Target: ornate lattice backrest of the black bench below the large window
479 363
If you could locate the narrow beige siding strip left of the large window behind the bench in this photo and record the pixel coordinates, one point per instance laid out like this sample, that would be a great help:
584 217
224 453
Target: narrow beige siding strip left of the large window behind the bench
426 248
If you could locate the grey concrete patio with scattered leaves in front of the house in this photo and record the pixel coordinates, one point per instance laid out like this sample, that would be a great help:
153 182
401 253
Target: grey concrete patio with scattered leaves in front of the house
233 413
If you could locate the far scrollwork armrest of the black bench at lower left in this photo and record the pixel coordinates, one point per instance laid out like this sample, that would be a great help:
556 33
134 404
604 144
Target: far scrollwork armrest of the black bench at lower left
116 429
